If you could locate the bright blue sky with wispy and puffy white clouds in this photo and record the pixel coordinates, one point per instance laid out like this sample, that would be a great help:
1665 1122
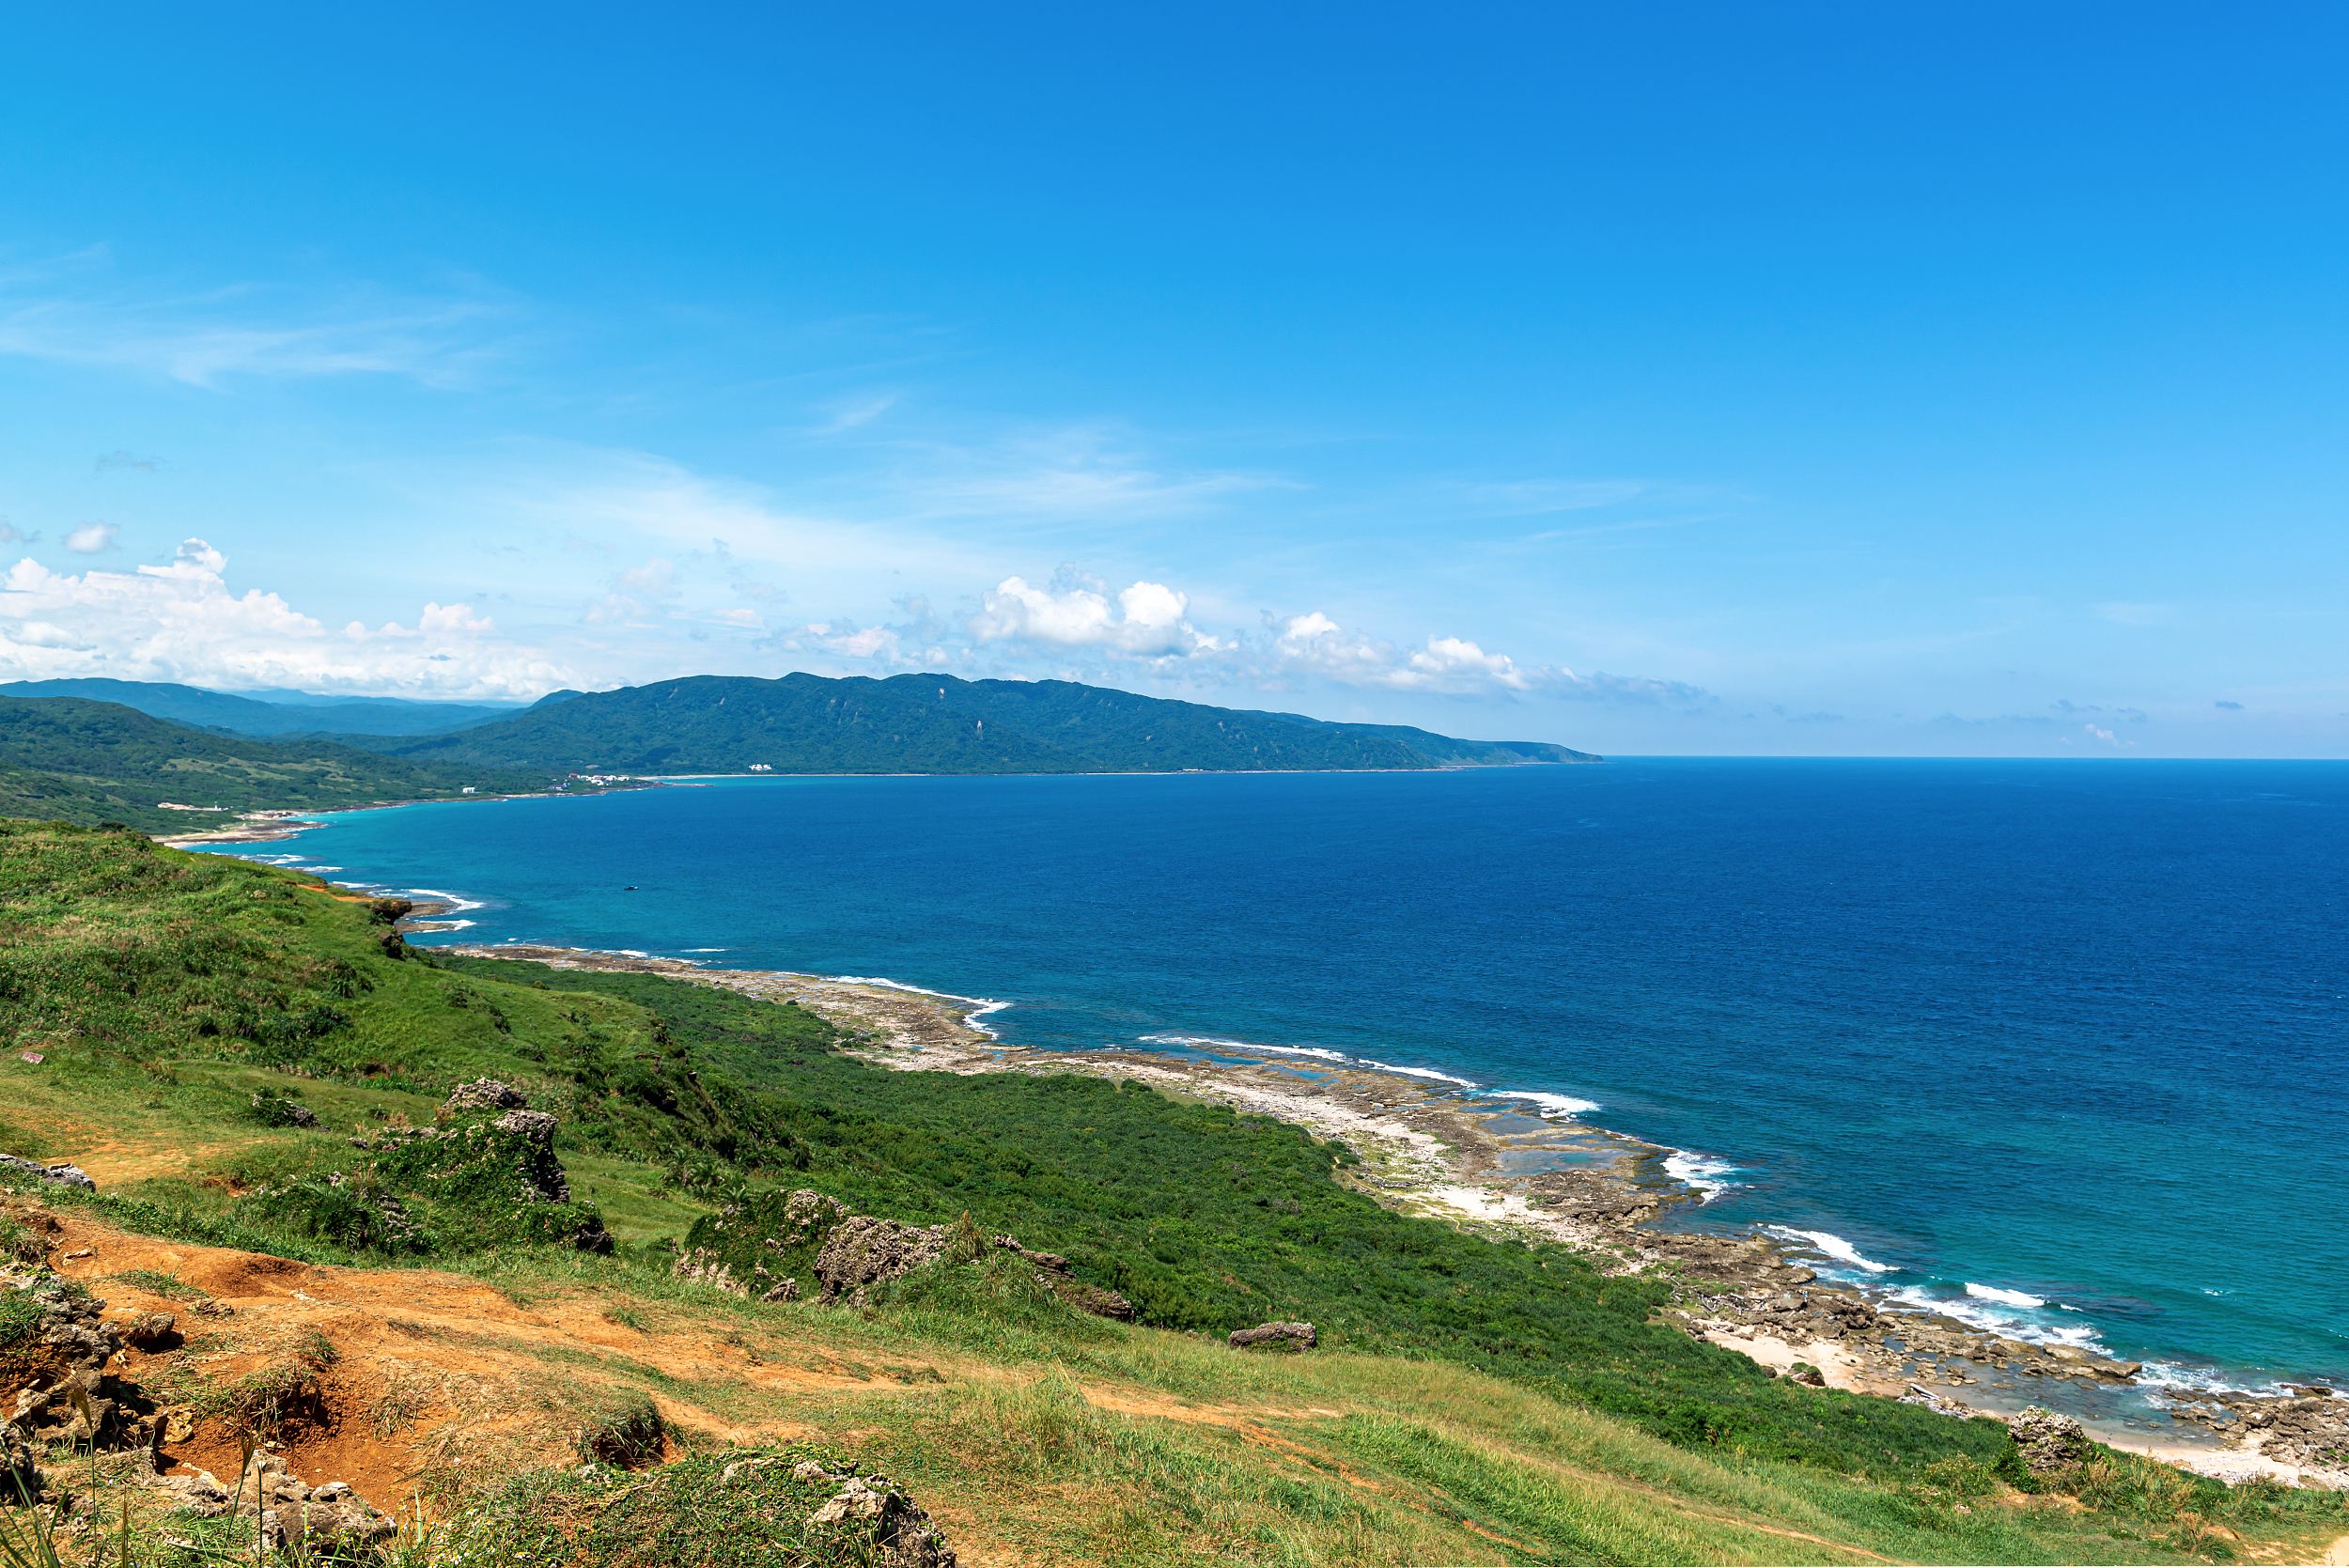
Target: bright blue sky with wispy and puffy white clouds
1650 379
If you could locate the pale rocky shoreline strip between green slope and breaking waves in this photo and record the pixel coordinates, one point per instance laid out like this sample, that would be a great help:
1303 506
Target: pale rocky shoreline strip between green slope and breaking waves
1495 1163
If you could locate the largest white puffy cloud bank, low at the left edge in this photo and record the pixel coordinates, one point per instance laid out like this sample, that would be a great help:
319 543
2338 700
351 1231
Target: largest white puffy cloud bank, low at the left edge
184 623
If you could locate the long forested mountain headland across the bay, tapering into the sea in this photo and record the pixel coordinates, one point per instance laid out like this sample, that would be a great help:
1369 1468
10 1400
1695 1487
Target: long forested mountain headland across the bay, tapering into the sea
936 724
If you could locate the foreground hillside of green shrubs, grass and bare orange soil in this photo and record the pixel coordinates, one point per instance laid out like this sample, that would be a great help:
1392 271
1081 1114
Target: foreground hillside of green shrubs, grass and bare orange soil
213 1036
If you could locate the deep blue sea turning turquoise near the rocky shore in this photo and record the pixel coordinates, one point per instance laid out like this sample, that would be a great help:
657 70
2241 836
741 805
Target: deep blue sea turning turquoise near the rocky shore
2066 1034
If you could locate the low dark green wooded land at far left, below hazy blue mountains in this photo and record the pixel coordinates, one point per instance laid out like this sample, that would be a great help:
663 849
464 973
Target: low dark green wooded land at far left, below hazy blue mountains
100 762
